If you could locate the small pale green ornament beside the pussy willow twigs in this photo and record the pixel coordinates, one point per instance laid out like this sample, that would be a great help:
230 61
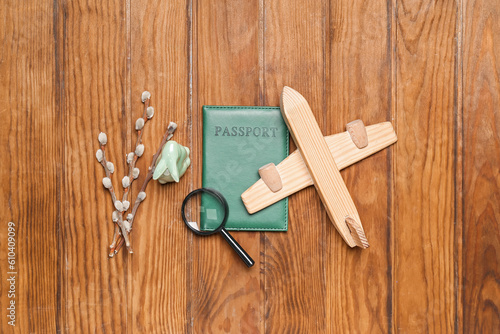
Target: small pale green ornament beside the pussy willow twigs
172 163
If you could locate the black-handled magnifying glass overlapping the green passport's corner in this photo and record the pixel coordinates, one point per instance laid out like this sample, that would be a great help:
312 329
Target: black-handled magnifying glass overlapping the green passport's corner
212 209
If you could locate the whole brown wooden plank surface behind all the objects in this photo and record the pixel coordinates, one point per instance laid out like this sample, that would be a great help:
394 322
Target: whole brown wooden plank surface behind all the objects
430 204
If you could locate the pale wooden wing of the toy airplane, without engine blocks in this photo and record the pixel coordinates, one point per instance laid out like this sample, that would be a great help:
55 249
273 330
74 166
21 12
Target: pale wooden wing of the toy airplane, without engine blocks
294 173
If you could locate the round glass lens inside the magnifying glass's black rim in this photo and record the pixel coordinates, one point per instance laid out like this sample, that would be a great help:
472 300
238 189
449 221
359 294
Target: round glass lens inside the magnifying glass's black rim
204 212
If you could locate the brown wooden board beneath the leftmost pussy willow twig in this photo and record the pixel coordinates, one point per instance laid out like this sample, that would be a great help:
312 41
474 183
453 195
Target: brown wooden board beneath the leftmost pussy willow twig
93 43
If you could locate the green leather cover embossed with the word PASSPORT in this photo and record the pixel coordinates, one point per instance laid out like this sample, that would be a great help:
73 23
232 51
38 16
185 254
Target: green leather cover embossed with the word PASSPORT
237 141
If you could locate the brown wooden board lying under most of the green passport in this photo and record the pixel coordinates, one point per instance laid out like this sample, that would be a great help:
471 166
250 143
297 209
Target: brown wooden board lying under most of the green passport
225 295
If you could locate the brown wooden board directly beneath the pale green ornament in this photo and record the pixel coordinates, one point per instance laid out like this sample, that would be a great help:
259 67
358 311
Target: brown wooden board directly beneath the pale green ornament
160 64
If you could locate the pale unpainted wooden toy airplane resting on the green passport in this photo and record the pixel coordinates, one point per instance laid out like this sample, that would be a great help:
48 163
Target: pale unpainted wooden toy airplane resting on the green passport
317 162
